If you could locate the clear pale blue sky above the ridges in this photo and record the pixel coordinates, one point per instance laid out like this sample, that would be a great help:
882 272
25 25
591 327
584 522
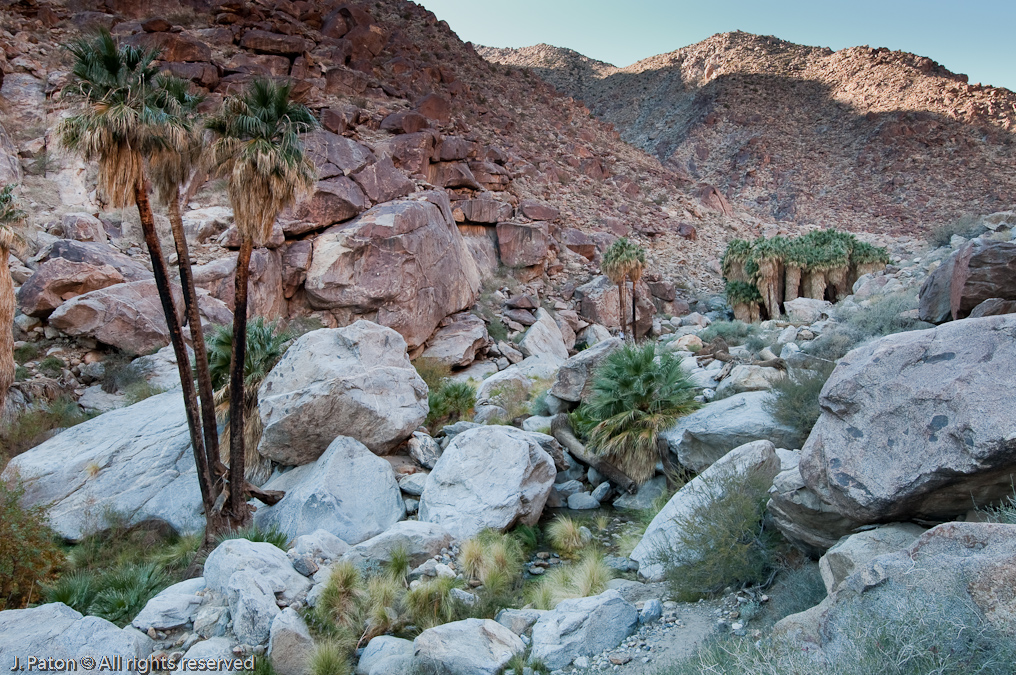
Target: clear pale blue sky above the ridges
973 37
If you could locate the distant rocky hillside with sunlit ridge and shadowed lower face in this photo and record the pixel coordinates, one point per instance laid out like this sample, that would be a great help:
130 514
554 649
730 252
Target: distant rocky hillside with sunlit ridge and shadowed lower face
862 139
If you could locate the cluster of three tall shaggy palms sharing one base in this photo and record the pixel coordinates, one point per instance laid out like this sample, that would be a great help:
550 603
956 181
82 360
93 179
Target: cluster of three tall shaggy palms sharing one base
144 130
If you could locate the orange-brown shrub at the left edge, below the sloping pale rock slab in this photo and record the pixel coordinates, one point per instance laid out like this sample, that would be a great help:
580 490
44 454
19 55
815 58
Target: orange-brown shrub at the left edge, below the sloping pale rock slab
29 554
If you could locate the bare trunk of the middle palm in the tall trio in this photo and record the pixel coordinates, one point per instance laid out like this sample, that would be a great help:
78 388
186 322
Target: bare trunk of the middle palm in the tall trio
207 392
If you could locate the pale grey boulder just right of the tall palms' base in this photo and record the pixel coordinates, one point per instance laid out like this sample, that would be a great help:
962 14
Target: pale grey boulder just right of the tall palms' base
349 492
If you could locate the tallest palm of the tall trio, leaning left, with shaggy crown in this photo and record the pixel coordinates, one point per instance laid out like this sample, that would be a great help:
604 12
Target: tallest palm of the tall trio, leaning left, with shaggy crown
121 127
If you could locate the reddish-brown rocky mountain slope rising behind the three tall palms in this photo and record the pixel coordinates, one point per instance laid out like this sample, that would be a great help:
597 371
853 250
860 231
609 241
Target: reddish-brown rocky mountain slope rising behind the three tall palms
553 148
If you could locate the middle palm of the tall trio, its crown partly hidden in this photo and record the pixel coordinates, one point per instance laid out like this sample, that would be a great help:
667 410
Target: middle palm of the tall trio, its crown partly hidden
171 166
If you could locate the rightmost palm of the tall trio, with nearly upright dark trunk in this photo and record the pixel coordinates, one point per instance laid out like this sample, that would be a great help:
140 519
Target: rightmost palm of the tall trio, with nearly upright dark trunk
260 152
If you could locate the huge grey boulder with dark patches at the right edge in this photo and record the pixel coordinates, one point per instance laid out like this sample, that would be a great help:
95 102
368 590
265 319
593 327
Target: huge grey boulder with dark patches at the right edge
912 425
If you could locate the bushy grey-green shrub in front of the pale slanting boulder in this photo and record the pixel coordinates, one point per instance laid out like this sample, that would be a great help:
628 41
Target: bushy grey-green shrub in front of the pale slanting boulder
724 540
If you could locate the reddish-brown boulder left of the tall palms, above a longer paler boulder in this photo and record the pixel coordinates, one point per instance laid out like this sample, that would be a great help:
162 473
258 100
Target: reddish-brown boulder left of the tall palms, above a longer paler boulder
58 280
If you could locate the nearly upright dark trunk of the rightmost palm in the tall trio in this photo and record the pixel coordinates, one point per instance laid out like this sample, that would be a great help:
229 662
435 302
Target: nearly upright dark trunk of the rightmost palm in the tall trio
240 515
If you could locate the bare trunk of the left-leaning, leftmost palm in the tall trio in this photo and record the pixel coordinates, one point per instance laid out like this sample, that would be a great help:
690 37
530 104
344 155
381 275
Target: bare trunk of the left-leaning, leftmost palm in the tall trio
179 348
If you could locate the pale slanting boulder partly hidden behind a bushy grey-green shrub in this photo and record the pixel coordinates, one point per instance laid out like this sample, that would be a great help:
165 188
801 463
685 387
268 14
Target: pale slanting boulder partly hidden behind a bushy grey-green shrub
663 534
